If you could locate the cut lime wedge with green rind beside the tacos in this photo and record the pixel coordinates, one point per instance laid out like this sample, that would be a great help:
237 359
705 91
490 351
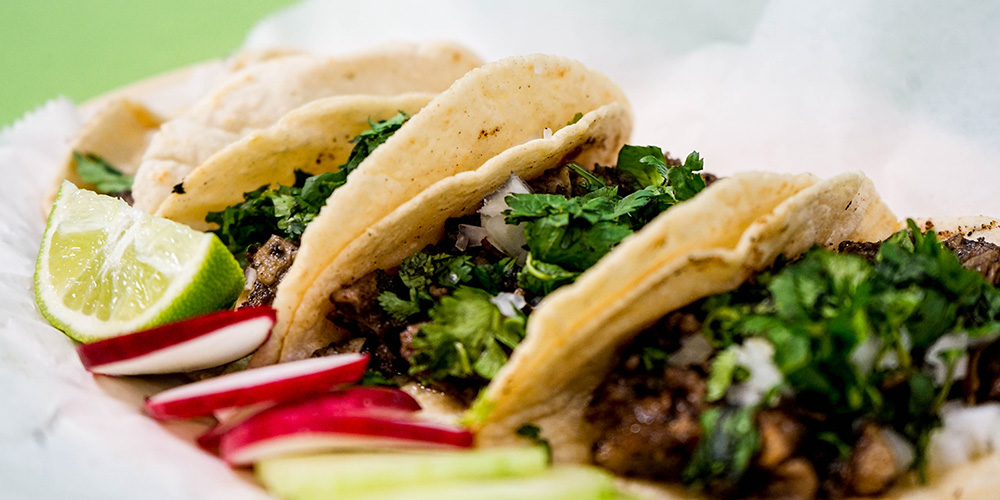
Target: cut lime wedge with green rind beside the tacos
105 268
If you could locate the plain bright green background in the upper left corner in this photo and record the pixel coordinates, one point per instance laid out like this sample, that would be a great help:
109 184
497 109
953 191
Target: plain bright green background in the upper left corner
81 48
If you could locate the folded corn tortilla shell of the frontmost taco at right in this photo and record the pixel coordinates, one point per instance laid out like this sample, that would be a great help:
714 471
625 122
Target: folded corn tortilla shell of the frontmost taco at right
707 245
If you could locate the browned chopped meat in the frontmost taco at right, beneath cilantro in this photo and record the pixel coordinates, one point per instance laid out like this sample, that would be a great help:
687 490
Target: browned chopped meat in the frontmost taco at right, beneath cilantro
646 414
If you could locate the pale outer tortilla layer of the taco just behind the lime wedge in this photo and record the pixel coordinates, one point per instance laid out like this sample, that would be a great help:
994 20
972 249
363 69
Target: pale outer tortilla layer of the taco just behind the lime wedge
259 95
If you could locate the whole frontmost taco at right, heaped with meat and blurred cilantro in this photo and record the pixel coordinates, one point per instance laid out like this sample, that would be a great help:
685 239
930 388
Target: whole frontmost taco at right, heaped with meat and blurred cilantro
754 366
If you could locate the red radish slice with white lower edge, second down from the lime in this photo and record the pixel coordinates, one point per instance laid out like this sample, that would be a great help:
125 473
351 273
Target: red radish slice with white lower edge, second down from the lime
275 383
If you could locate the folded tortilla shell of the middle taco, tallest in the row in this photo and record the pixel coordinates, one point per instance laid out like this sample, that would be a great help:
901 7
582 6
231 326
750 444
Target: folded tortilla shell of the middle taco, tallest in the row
501 110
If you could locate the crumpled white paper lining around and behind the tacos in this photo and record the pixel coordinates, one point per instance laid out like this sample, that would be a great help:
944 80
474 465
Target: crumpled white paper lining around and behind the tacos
905 91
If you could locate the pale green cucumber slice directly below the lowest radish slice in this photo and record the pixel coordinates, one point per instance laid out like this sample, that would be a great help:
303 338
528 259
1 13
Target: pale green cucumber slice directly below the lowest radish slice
350 475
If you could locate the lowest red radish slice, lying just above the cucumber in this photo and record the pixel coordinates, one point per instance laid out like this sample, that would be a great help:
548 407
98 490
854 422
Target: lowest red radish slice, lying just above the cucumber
301 429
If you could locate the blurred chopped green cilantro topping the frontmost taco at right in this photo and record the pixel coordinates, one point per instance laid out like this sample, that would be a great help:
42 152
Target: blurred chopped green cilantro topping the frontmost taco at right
819 310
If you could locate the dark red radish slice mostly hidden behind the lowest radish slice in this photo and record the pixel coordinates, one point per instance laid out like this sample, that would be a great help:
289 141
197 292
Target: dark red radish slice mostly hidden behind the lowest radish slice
350 400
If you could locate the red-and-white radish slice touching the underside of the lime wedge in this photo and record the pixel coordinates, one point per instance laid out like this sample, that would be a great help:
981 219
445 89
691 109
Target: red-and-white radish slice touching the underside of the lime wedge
193 344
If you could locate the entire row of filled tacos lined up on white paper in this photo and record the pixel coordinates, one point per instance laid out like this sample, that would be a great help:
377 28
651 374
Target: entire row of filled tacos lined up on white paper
488 237
